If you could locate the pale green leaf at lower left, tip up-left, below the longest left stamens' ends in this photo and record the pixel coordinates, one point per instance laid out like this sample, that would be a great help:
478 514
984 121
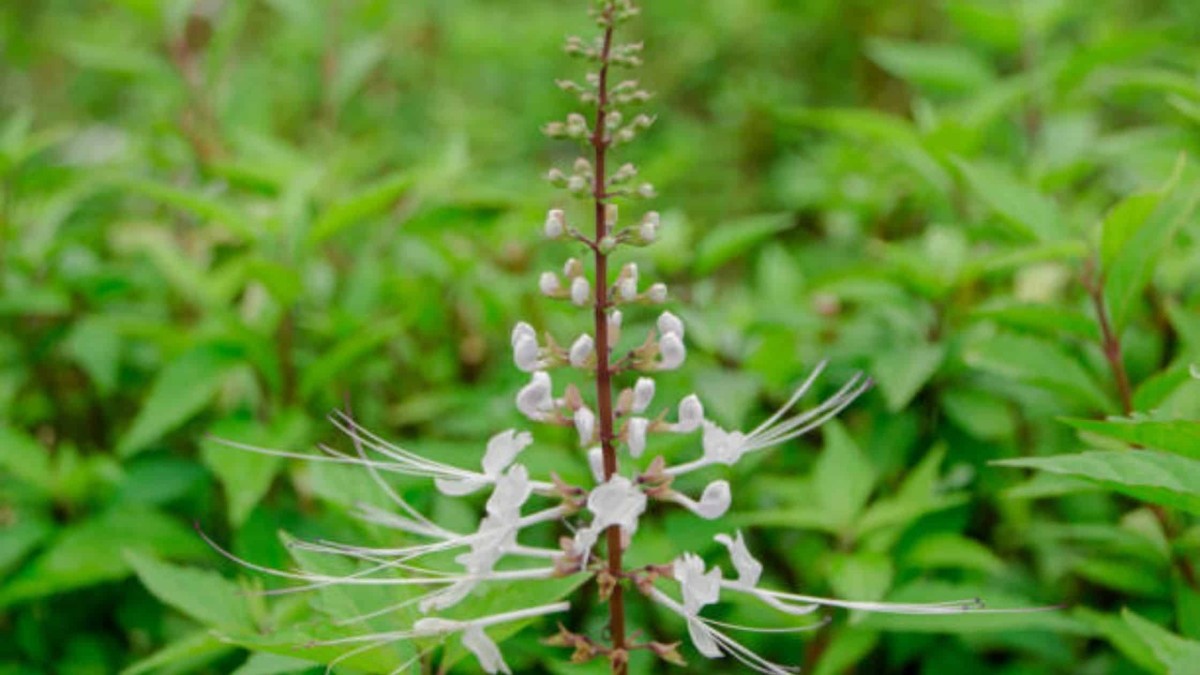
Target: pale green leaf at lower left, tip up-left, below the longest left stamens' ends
200 594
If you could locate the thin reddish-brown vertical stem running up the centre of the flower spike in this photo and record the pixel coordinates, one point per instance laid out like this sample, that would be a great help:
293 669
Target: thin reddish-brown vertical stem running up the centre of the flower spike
604 375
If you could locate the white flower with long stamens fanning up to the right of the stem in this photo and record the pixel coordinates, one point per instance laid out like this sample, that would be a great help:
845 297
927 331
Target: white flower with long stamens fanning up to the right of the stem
729 447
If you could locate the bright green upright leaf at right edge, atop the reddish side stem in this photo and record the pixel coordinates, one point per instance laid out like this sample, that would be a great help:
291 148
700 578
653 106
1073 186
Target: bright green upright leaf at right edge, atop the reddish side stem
1143 240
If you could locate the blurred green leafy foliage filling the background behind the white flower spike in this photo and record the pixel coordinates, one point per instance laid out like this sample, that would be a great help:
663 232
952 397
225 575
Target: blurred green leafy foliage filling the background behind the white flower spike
232 218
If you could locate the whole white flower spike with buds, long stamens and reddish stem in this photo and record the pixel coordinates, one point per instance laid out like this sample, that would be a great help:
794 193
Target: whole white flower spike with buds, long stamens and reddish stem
615 426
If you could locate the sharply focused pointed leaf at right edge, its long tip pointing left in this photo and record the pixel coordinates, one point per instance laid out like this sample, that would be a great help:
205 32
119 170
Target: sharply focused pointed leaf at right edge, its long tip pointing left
1150 476
